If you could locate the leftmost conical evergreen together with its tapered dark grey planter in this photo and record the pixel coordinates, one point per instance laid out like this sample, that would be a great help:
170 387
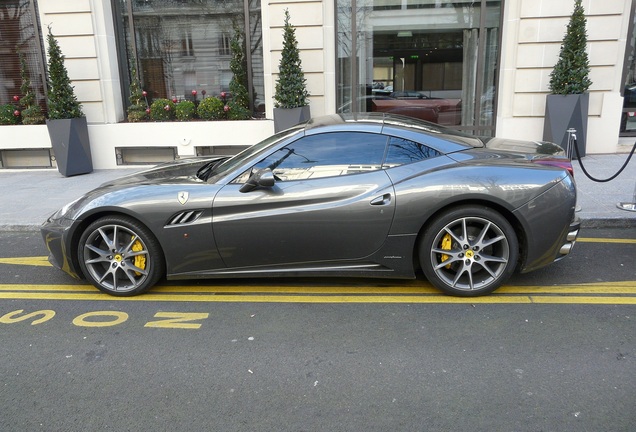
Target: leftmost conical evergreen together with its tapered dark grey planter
66 123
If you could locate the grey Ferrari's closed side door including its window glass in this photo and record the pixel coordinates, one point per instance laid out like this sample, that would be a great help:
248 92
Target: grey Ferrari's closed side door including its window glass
331 201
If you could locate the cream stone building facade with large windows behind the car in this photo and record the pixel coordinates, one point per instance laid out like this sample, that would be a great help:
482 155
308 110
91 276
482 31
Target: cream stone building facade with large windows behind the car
480 66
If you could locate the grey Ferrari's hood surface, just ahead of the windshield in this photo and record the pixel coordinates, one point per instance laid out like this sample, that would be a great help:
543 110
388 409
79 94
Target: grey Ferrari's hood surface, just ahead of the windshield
181 171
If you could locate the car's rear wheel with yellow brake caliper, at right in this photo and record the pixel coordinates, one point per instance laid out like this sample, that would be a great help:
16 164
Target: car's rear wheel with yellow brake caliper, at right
469 251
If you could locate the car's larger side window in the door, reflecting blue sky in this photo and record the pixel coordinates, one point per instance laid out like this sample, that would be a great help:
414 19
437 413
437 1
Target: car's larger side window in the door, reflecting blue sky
327 155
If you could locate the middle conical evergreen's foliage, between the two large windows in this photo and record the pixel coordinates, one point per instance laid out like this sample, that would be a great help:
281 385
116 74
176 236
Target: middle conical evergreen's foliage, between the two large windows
291 91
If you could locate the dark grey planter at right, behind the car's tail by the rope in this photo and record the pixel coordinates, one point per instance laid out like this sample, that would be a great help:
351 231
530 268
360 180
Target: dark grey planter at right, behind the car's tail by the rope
563 112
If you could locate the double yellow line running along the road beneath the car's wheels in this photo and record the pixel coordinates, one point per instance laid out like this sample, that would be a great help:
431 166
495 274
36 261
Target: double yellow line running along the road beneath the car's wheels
596 293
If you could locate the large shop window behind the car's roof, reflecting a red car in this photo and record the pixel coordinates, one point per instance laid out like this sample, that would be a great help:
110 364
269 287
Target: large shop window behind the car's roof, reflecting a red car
432 60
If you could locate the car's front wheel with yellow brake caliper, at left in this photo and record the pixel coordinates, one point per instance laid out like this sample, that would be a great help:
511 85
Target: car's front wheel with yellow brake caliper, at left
120 256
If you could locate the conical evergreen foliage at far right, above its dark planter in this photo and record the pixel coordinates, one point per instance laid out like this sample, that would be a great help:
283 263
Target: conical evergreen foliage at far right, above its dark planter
571 72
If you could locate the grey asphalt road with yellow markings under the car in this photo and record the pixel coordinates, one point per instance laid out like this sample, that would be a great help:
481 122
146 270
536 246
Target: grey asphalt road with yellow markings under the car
555 350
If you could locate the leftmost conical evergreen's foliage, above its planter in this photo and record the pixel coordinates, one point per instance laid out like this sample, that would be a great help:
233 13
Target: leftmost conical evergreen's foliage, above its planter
62 102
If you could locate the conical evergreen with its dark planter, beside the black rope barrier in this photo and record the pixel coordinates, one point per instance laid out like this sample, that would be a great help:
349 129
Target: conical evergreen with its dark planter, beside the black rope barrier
567 105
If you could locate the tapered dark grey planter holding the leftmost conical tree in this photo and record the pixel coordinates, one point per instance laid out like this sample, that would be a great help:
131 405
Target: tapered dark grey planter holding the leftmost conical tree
71 146
